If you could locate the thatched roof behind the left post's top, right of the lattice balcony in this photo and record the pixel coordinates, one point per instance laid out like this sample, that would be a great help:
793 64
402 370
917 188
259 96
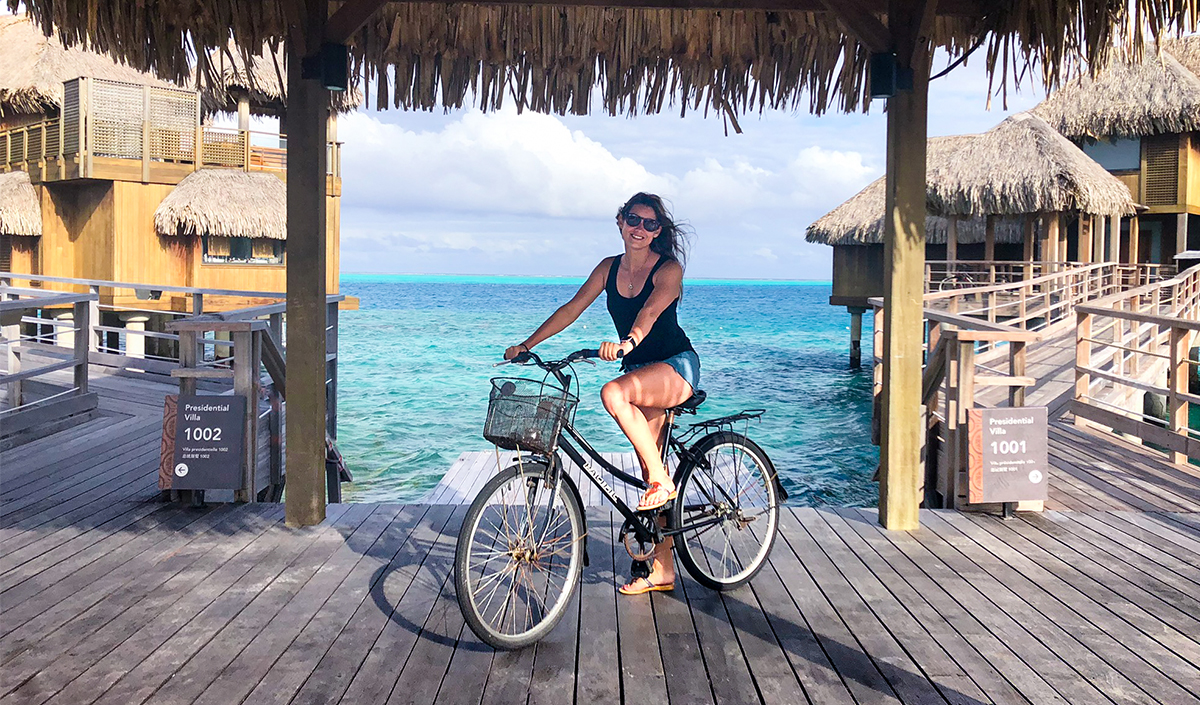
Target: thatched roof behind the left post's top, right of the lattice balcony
225 75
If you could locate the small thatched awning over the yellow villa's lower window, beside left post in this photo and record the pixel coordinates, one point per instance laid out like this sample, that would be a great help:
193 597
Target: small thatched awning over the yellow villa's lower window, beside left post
226 203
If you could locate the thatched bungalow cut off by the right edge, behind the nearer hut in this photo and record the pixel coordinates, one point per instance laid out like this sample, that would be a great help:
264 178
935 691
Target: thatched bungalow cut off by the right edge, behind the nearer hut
1139 119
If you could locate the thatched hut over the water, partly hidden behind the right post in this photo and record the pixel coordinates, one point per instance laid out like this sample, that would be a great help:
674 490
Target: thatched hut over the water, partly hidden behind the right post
1013 195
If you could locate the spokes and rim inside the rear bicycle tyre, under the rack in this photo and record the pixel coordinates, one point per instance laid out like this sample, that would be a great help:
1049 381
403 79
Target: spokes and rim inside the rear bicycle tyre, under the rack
729 503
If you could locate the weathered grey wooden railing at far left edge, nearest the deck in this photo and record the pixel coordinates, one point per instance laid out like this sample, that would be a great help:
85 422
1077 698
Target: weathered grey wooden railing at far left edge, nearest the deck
23 409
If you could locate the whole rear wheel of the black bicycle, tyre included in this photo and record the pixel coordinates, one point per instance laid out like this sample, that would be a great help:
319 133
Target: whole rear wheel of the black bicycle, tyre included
728 511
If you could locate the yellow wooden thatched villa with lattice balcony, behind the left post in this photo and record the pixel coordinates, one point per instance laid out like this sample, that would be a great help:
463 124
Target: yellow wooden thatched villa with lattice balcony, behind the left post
134 183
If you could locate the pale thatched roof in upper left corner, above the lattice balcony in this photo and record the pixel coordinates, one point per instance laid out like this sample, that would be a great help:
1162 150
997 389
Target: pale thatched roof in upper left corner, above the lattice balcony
34 67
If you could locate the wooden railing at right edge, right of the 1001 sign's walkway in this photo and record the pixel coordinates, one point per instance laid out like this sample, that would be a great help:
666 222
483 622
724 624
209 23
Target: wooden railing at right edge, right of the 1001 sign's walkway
1136 366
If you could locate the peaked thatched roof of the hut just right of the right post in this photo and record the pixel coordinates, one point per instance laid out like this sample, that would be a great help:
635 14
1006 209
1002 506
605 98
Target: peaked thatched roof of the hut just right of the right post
1023 166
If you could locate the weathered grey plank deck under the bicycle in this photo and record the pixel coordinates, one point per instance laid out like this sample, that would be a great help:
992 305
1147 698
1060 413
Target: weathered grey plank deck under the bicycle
110 596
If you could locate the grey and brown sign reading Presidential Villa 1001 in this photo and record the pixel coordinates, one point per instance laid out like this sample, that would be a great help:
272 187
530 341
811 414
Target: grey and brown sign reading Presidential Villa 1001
1007 457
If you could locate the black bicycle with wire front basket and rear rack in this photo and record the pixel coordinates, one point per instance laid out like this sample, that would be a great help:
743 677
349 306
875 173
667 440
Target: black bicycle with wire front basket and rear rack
524 543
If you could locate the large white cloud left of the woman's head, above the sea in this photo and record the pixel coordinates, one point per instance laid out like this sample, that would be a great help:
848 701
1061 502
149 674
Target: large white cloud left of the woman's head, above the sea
487 164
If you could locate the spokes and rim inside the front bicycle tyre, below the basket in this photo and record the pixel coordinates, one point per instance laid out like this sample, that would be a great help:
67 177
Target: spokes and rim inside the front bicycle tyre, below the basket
523 551
